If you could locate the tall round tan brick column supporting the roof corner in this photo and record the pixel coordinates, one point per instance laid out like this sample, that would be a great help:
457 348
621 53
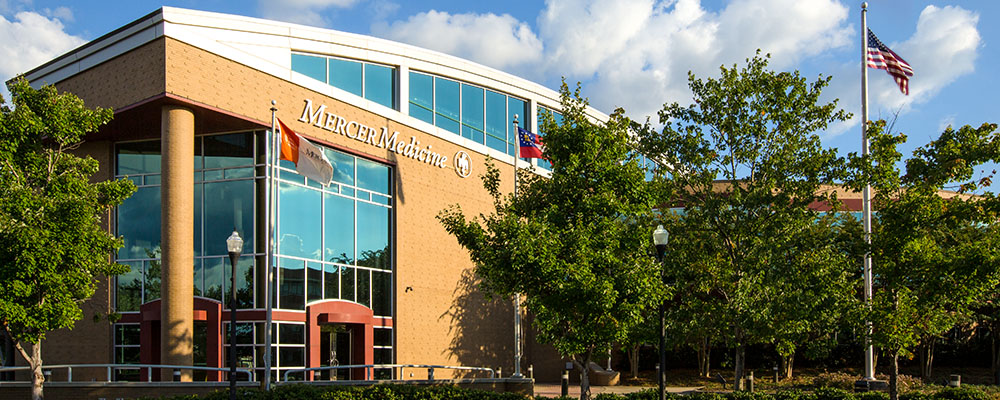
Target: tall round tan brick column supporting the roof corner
177 240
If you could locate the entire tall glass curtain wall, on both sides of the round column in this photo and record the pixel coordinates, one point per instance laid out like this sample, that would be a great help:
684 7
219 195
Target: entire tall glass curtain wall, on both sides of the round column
333 242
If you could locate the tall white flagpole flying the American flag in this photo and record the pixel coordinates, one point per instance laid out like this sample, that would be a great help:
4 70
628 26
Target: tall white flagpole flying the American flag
866 204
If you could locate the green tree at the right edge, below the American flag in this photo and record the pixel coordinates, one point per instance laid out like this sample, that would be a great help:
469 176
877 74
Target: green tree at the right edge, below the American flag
935 255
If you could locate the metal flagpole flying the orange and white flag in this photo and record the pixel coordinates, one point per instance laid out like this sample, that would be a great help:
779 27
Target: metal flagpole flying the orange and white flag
269 241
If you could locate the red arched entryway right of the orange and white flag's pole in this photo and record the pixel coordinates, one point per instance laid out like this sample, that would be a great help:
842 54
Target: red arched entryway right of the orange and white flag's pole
358 318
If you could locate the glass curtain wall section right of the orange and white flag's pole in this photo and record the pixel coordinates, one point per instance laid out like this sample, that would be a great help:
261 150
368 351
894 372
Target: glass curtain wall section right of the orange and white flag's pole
334 241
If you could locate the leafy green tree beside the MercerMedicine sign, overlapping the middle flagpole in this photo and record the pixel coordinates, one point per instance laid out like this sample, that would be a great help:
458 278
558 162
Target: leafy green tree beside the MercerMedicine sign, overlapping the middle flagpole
575 244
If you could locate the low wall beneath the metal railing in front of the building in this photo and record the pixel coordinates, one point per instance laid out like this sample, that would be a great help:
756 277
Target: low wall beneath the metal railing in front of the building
132 390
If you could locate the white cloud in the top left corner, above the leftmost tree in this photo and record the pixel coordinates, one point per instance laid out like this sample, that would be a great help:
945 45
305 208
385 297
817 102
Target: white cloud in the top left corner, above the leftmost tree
28 40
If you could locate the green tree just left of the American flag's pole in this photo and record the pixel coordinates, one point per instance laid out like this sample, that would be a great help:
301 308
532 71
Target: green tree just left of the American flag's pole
747 164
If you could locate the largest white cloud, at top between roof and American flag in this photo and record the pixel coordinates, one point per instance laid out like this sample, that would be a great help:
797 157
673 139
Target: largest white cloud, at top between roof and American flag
639 52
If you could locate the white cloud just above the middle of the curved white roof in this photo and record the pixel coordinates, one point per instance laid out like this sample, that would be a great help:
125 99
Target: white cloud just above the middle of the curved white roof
499 41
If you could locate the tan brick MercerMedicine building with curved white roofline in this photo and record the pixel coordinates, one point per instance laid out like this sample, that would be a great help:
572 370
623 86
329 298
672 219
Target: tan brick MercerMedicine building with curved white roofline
363 272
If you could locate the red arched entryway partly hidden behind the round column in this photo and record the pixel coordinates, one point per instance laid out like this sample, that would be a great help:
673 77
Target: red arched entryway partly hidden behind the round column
205 309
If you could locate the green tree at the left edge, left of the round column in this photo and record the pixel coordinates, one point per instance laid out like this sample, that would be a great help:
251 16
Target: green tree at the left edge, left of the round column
52 244
